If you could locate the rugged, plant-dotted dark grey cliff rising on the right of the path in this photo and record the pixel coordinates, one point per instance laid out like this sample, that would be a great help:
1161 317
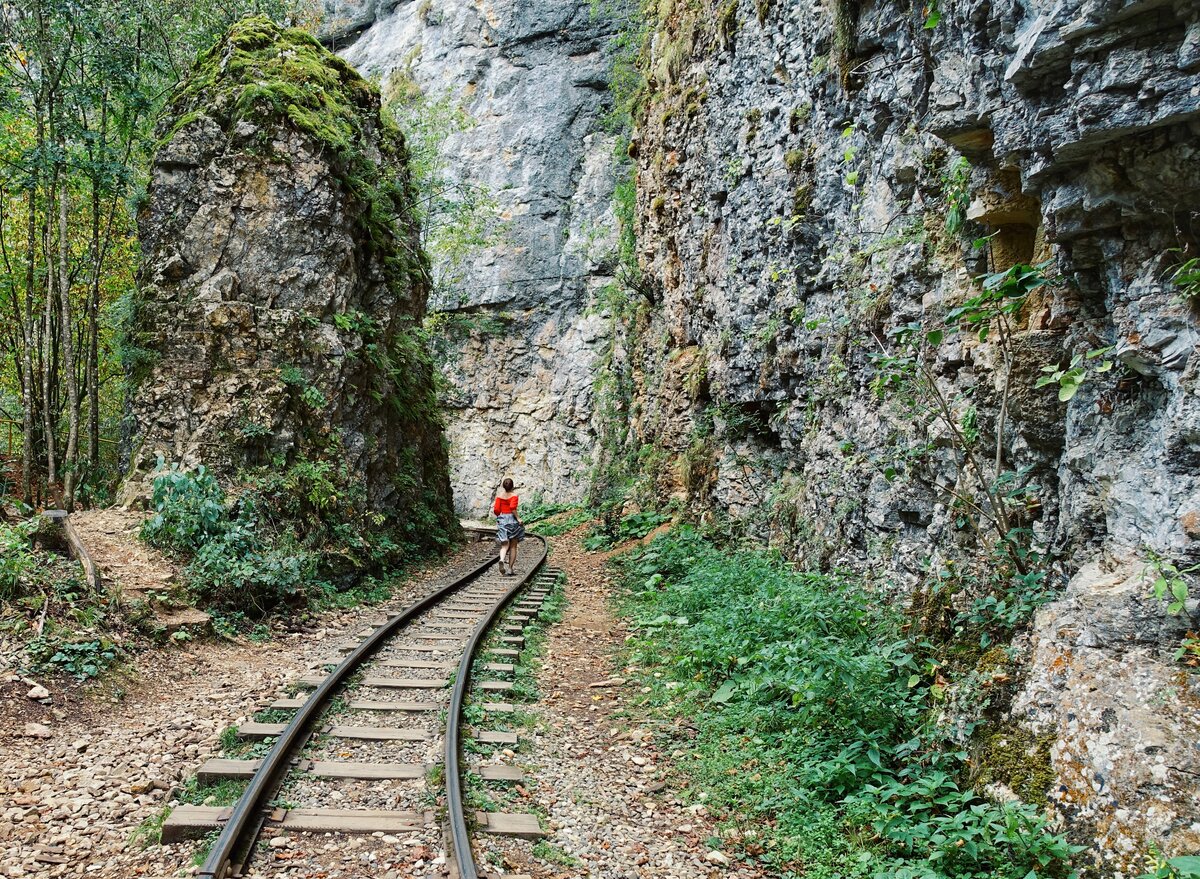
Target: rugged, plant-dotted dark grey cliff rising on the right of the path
811 180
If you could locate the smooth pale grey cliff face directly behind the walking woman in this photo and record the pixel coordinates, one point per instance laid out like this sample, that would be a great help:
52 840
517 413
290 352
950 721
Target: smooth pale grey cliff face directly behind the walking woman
533 79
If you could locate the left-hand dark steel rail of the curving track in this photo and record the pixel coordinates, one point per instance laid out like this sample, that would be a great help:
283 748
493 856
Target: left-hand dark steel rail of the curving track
247 820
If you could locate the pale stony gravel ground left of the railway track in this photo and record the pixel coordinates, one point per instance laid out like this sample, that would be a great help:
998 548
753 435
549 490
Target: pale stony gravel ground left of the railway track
73 800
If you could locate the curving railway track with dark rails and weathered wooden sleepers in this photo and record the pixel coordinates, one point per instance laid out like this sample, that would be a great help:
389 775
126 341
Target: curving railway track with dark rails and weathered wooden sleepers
394 704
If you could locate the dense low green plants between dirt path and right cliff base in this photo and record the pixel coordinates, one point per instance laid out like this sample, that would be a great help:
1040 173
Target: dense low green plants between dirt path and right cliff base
815 734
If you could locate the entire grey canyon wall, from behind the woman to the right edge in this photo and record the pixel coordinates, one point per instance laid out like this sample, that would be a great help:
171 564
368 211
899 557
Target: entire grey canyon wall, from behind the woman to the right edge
813 178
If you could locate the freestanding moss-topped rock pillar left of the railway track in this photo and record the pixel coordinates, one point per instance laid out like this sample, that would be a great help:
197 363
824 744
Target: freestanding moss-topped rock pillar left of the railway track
283 280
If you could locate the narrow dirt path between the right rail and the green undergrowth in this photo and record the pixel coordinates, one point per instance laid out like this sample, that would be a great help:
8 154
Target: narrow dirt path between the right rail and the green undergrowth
599 774
